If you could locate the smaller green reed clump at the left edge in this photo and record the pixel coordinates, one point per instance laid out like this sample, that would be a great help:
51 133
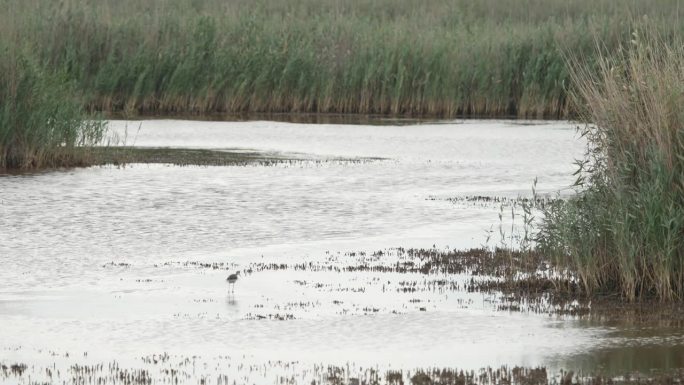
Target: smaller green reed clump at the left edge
42 123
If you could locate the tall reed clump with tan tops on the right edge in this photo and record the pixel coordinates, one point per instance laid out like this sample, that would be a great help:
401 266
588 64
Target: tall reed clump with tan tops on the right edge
624 231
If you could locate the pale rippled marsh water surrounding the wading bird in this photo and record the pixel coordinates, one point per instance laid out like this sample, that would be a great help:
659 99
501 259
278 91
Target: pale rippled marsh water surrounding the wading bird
126 262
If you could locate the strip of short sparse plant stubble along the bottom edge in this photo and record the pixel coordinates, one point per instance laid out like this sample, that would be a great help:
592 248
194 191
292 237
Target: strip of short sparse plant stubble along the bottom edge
164 368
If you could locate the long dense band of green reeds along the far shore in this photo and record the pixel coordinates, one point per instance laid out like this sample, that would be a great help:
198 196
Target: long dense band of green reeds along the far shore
439 57
